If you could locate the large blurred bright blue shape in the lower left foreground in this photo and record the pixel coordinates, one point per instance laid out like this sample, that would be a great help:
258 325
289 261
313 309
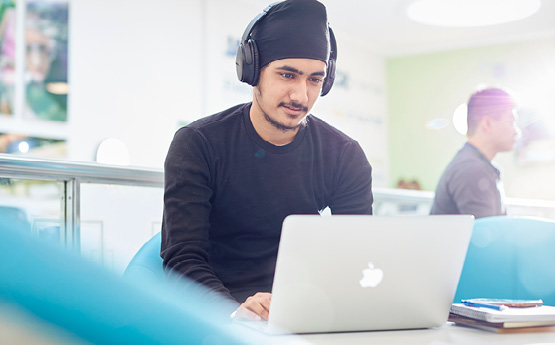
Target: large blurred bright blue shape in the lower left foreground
101 307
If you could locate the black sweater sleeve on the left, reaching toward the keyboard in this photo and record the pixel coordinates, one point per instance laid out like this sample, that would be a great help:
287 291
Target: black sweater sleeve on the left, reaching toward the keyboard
187 193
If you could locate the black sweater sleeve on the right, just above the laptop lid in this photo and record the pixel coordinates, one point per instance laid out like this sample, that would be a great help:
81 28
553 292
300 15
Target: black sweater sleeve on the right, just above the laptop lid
353 183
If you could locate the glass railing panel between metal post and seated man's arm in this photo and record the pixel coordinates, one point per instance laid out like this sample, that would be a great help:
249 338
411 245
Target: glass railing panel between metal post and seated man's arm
116 220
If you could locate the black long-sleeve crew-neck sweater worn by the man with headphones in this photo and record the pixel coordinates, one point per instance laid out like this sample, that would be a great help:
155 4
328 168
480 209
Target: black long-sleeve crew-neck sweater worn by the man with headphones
227 192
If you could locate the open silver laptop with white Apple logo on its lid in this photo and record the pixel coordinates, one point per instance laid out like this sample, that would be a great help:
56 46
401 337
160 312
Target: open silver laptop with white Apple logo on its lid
358 273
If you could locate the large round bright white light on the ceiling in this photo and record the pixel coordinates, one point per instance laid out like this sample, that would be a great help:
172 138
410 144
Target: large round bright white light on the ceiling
470 13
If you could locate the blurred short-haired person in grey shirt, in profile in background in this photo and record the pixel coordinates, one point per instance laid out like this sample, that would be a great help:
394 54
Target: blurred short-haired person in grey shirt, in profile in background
471 183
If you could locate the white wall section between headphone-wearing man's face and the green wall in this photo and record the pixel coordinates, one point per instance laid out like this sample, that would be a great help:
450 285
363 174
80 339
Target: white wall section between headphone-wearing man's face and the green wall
357 104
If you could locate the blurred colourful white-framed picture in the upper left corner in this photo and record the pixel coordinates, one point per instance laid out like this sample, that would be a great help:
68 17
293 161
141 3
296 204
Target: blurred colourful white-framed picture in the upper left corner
34 63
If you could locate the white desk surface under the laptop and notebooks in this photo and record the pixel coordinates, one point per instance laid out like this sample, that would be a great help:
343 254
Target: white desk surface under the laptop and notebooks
447 334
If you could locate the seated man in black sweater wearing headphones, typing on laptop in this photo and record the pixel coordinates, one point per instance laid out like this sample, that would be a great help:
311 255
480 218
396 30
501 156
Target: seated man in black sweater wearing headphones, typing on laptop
232 178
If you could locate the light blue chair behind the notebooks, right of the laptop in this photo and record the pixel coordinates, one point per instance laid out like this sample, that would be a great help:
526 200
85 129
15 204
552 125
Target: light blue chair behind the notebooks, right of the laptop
510 257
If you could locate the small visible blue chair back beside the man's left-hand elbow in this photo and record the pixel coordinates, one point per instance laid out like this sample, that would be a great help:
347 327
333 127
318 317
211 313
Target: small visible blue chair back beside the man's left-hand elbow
147 263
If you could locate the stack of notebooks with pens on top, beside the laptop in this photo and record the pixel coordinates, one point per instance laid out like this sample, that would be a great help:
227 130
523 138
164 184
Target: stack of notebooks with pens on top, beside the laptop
504 320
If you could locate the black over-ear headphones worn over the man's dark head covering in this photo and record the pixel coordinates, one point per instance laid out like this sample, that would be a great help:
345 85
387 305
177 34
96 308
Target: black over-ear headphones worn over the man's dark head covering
247 64
